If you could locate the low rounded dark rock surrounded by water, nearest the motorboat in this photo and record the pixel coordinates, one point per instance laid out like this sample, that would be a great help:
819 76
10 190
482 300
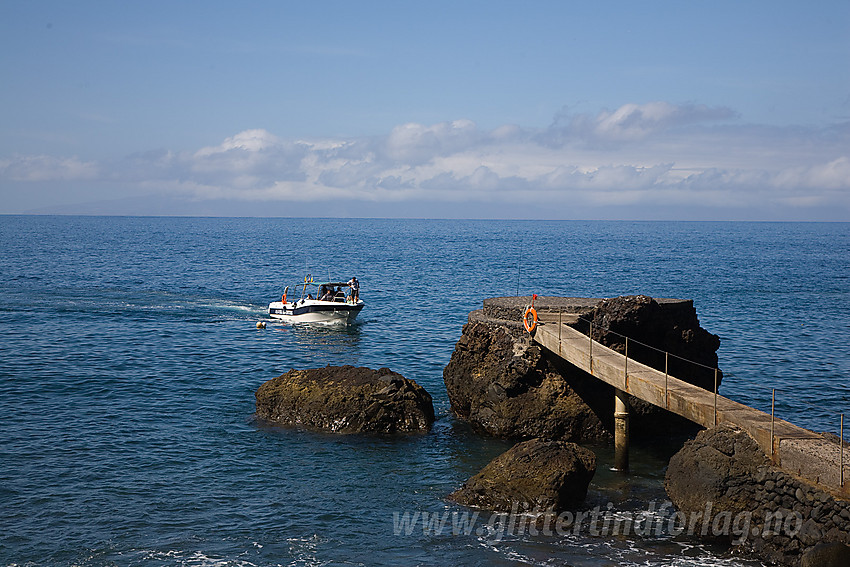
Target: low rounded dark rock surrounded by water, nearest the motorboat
346 399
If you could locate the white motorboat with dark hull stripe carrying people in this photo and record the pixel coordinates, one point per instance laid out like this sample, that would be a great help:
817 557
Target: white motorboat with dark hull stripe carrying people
330 305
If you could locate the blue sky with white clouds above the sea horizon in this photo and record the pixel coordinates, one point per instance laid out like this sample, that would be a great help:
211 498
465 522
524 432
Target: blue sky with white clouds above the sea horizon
670 110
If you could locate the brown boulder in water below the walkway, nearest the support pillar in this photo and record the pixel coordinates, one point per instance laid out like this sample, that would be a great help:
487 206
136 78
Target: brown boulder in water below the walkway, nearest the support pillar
532 475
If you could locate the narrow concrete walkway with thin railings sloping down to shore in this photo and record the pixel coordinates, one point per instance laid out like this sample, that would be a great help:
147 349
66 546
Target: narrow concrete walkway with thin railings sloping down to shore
795 449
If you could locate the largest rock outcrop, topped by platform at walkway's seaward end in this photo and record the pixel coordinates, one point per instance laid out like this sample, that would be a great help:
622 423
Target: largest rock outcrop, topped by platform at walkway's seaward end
504 385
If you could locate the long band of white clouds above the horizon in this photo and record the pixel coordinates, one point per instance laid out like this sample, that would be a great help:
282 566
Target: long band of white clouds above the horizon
653 156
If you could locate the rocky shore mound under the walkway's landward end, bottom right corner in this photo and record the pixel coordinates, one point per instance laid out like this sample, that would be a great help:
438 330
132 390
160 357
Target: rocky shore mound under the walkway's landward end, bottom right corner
729 490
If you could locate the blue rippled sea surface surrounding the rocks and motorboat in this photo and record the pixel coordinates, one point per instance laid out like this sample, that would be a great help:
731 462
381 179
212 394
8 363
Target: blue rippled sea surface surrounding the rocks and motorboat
129 359
